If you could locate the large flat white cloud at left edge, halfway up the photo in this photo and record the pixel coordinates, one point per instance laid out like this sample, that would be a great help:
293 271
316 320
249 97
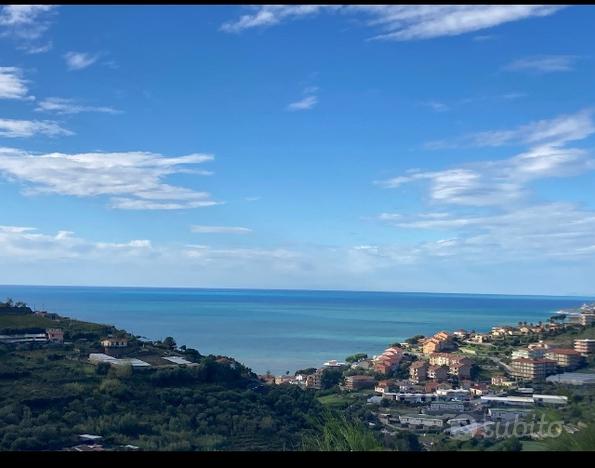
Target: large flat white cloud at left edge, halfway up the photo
132 180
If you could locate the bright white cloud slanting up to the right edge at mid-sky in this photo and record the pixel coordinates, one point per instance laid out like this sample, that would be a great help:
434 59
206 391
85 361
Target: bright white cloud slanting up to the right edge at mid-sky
501 181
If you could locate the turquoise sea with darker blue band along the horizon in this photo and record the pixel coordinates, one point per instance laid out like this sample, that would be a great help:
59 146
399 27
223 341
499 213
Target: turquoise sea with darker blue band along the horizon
280 330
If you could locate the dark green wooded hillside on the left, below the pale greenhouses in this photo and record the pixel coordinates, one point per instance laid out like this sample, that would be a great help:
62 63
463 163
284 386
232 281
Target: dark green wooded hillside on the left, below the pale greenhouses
49 394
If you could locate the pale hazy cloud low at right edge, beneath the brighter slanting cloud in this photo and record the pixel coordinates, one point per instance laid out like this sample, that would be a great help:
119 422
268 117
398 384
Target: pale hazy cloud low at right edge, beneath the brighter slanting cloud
552 230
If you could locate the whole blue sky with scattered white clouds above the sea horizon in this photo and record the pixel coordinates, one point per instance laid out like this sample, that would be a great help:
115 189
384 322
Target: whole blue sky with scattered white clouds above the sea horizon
393 148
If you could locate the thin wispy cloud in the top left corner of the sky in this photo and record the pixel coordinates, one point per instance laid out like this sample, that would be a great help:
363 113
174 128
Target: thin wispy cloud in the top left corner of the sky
27 24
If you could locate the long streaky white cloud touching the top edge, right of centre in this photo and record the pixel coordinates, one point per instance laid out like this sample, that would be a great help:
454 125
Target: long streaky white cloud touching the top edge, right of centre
400 22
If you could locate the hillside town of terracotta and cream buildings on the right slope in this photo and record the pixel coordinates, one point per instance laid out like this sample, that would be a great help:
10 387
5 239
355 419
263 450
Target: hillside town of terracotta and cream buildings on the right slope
462 383
